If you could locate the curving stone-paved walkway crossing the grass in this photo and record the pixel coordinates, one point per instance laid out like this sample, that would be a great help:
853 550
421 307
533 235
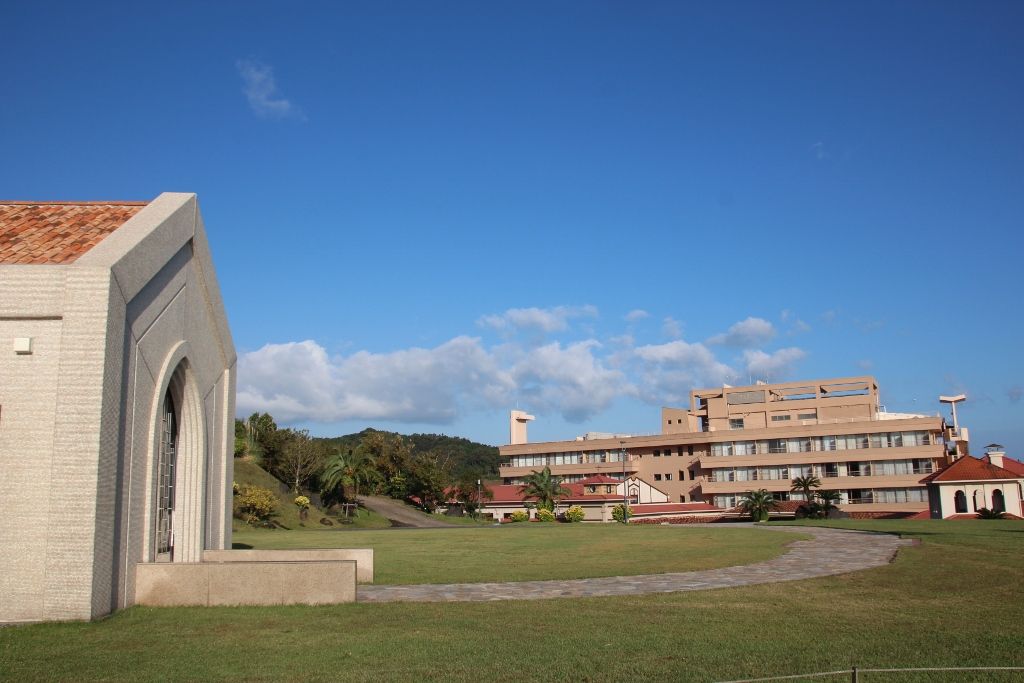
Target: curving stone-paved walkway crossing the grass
829 552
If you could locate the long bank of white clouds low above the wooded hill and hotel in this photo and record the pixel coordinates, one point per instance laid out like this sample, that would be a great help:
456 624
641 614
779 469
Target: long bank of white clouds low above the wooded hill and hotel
302 382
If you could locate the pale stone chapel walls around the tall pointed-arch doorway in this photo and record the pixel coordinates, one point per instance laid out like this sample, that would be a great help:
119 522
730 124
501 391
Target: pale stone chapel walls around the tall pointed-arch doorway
79 416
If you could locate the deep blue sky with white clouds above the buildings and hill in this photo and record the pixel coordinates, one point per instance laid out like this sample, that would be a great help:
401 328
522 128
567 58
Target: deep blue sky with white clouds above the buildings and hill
425 215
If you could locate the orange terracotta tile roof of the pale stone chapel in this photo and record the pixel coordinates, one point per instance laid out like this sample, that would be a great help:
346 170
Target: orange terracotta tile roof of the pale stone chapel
33 233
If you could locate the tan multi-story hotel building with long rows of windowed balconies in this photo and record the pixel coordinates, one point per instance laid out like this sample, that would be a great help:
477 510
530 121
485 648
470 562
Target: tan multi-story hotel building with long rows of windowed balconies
735 440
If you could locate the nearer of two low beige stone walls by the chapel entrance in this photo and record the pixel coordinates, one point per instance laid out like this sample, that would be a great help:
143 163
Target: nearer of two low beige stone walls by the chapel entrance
209 584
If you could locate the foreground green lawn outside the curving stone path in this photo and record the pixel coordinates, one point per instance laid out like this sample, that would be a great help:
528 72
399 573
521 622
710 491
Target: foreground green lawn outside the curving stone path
954 601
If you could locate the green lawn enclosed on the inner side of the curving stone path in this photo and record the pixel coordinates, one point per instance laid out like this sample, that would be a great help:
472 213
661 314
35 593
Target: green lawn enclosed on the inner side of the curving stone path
527 552
